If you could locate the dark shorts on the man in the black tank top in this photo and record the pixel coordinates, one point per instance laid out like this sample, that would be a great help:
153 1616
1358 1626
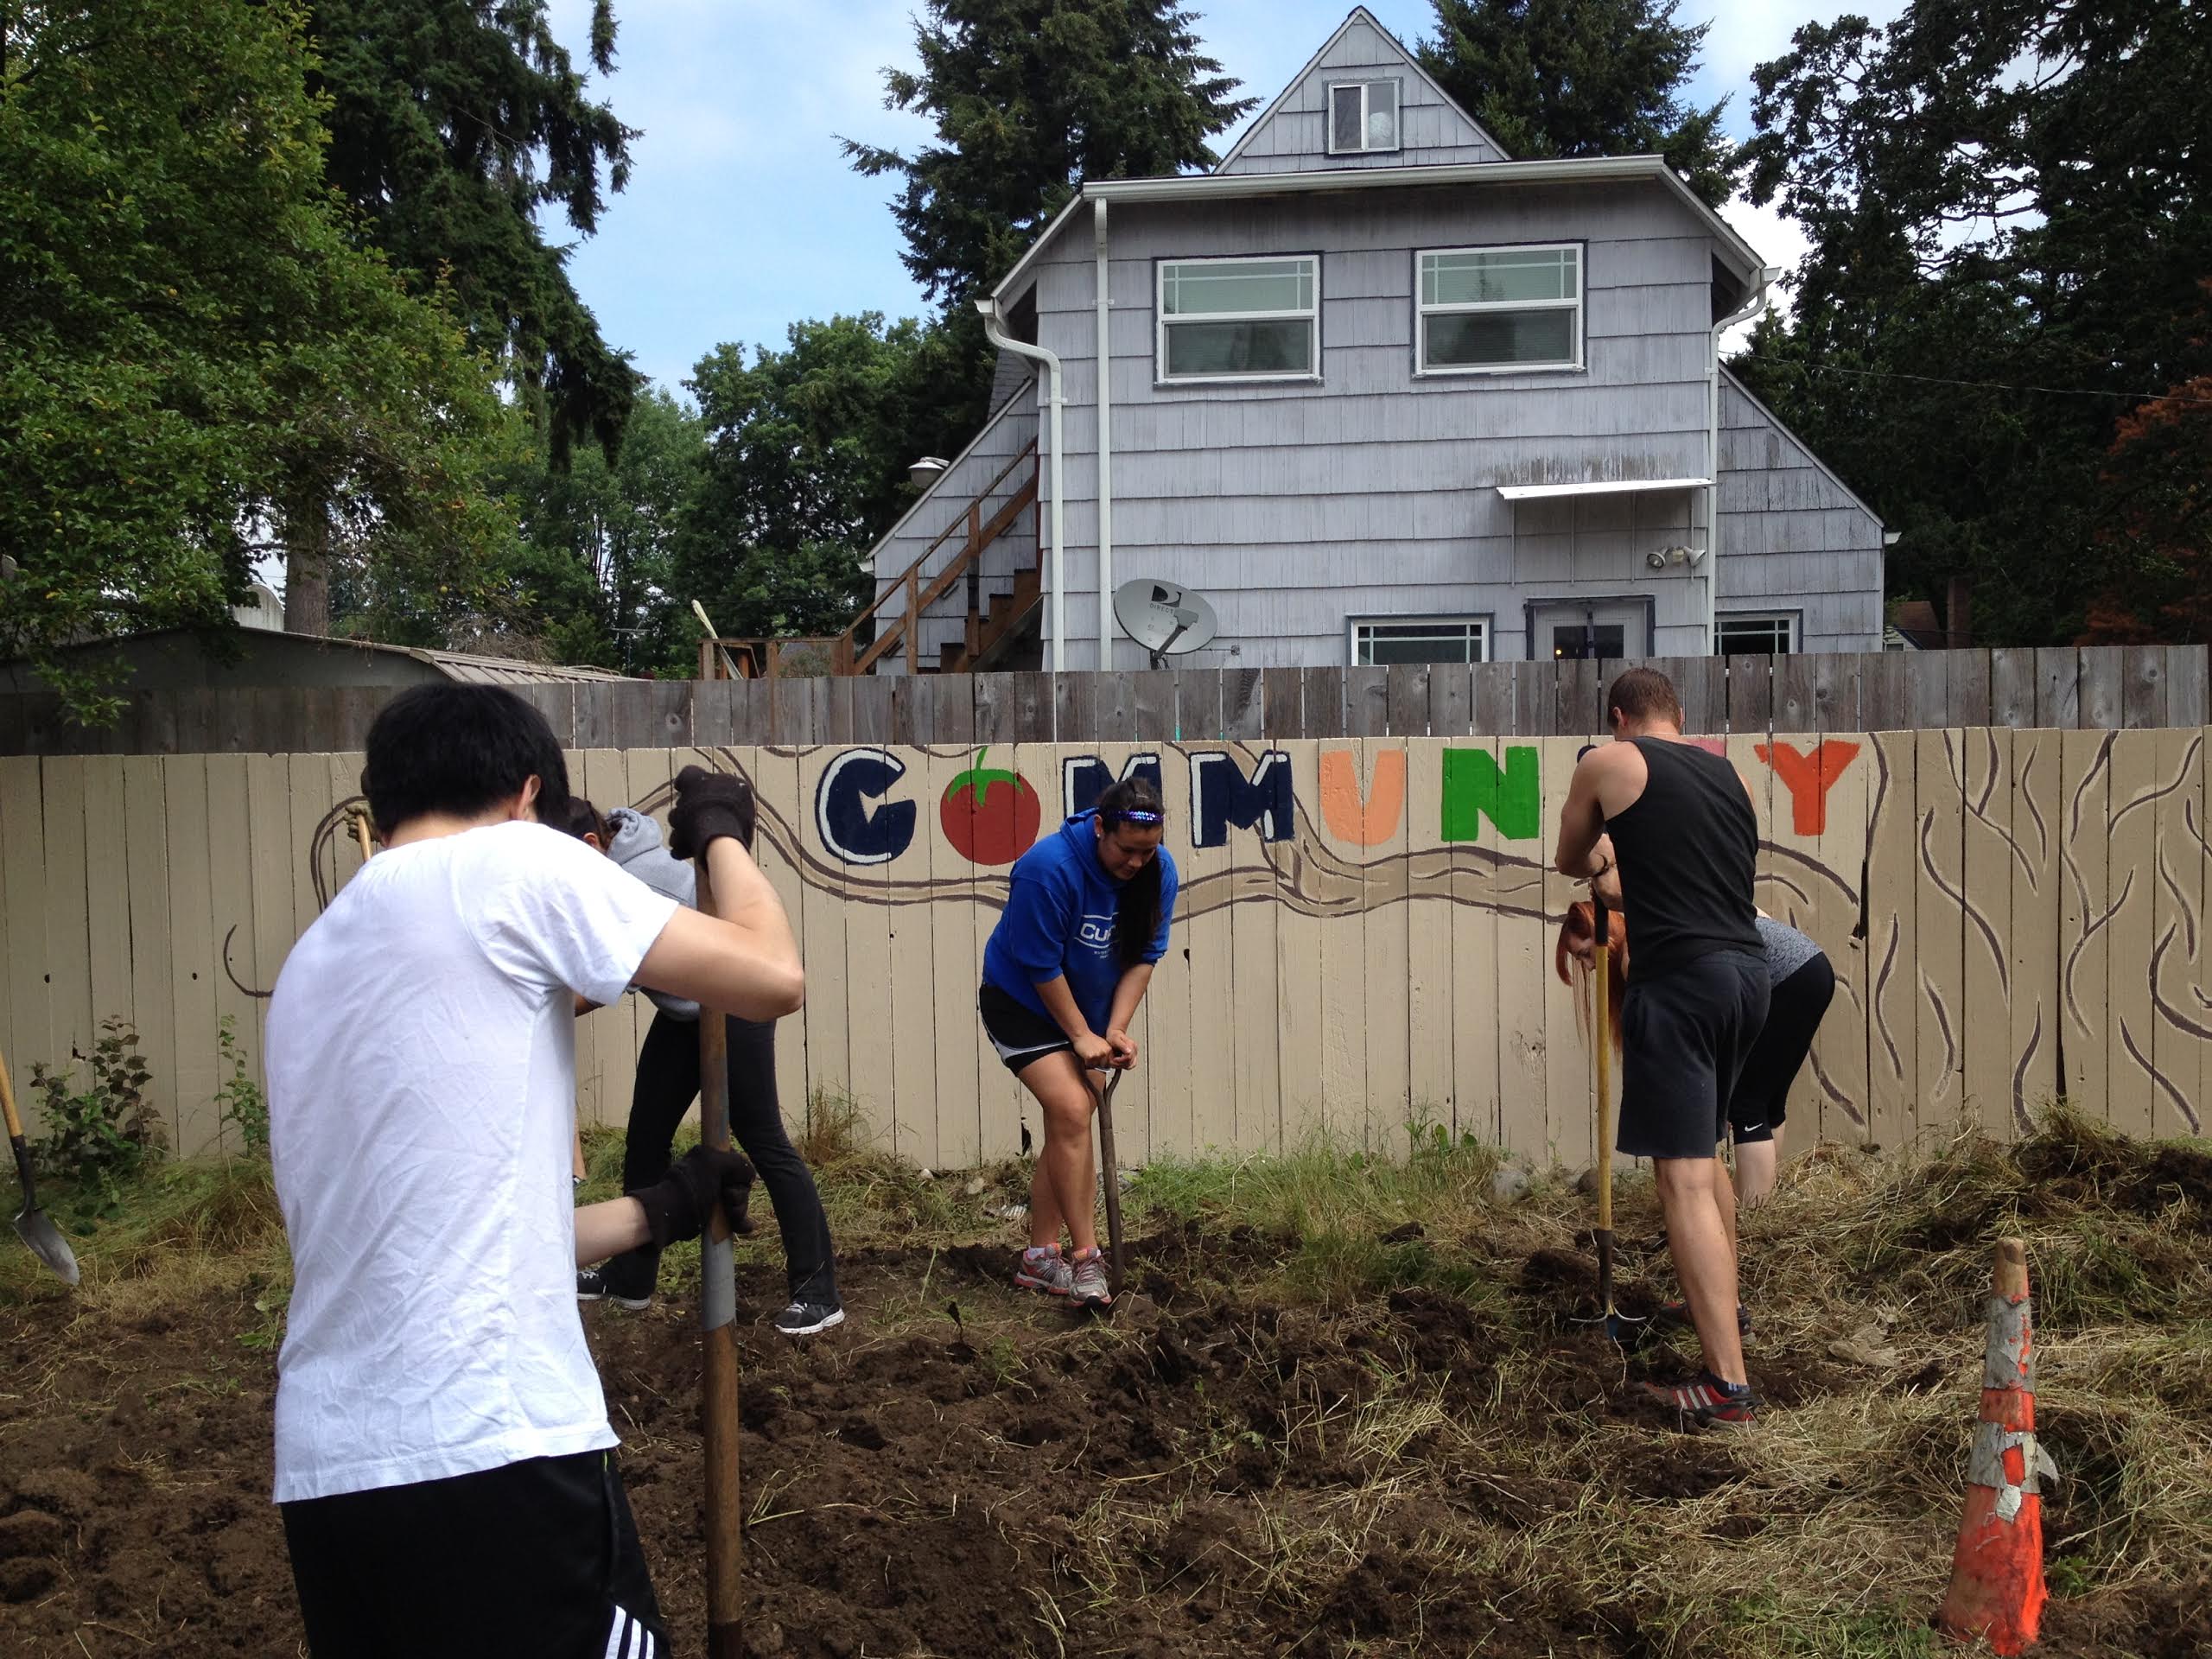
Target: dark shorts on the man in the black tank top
1684 1036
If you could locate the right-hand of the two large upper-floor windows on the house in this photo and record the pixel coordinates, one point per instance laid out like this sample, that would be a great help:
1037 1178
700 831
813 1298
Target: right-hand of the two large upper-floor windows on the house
1499 311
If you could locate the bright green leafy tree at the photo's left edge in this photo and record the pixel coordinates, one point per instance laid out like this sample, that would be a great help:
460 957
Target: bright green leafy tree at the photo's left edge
189 337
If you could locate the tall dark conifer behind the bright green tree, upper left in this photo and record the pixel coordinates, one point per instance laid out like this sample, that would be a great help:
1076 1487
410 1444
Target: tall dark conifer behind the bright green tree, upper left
455 125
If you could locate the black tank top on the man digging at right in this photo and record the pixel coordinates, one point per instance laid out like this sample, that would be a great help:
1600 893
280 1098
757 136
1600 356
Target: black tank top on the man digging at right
1689 853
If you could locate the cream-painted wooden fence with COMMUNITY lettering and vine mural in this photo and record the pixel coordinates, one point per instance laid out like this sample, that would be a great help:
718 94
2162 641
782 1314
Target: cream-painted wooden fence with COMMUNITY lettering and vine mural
1366 935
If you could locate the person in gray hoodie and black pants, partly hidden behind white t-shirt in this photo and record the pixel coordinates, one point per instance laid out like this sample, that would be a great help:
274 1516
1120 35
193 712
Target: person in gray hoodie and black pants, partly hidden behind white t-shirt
669 1083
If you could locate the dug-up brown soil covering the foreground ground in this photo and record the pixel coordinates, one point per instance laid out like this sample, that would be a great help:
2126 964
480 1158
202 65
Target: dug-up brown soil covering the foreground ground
966 1472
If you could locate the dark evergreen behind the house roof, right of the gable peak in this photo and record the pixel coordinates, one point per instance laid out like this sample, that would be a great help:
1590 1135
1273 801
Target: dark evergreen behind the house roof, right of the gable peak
1583 79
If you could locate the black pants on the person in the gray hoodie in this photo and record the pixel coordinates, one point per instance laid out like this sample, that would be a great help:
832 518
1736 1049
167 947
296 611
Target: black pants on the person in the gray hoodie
667 1087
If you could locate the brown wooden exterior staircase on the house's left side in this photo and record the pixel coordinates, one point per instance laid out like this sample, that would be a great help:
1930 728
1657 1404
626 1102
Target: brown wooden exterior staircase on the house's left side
990 623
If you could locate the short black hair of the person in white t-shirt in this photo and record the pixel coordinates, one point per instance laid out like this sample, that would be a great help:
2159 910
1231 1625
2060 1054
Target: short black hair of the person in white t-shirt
461 751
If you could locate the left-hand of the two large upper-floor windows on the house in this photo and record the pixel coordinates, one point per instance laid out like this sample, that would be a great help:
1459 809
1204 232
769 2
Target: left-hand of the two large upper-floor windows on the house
1240 320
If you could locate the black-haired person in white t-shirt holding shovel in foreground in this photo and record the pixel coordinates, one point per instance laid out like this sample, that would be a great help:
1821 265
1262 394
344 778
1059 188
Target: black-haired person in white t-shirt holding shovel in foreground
441 1437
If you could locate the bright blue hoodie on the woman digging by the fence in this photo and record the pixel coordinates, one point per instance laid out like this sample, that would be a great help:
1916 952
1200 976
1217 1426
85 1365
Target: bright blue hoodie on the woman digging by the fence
1058 921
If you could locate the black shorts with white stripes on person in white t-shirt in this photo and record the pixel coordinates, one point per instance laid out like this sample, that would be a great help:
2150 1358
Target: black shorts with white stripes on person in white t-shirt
536 1558
